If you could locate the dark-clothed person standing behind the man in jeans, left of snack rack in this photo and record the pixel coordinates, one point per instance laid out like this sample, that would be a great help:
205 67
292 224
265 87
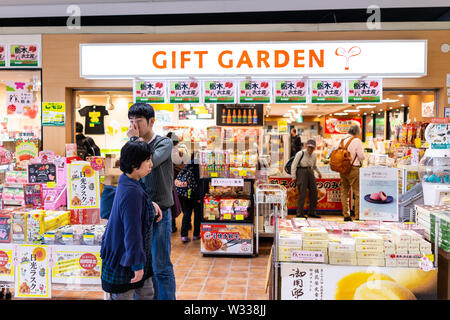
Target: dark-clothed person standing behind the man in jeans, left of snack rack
187 186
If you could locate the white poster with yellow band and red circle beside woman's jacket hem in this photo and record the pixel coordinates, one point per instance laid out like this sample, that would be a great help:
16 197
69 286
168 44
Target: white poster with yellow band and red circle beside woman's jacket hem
77 264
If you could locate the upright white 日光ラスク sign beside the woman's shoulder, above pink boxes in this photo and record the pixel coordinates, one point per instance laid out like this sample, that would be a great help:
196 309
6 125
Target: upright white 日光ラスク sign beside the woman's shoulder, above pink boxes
83 187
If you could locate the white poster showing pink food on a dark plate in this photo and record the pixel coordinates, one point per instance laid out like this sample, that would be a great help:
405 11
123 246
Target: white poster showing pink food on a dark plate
378 193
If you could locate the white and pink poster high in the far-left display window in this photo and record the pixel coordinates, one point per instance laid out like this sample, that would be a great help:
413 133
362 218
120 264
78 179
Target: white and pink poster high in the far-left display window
19 97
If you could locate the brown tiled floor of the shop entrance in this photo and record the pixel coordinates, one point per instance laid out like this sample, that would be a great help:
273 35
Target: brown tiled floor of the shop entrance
203 278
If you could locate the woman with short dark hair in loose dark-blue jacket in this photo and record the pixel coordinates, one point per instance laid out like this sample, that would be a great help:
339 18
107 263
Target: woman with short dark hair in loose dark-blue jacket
126 244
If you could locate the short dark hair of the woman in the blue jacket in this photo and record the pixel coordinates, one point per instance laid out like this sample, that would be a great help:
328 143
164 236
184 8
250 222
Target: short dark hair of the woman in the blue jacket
133 154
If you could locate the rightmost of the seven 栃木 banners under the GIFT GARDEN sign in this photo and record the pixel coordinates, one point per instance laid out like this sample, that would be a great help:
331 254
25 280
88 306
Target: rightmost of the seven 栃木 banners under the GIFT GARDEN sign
365 91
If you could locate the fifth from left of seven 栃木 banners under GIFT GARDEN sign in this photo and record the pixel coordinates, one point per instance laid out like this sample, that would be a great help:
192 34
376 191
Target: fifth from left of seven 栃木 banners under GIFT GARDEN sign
291 91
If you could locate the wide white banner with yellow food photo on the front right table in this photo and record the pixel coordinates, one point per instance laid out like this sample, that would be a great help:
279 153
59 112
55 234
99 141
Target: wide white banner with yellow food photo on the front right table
334 282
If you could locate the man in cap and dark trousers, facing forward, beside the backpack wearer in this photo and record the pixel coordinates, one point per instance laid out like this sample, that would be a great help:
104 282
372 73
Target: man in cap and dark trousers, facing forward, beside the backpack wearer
302 171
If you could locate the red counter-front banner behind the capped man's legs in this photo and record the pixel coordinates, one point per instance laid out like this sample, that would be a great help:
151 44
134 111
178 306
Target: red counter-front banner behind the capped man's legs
328 193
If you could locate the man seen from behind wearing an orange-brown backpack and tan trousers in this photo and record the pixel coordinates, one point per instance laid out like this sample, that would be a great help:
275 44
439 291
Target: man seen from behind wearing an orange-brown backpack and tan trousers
351 180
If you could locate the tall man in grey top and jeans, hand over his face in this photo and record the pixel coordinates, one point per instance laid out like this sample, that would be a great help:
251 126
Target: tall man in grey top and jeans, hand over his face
159 185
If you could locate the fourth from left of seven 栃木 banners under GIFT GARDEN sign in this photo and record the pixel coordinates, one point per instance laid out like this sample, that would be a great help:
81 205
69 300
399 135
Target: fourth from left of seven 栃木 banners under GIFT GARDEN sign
255 91
